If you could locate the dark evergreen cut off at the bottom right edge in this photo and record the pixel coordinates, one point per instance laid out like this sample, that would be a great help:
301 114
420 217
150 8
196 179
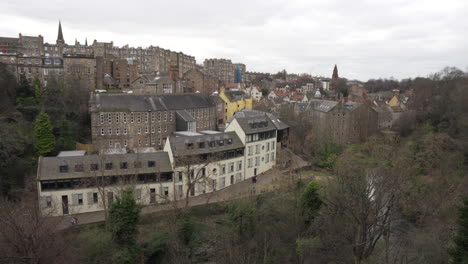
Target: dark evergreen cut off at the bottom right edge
459 253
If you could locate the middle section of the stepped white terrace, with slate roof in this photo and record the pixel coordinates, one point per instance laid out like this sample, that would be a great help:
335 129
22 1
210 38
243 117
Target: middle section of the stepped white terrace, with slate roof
213 160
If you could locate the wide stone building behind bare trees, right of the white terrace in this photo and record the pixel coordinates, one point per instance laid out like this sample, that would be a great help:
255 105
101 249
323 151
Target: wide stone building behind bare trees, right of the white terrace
342 122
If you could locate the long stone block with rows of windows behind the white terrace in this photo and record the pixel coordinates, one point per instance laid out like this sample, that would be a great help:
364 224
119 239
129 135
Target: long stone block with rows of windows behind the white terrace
140 121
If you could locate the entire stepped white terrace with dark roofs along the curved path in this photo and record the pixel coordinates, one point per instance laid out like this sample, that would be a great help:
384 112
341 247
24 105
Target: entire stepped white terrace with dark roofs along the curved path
74 182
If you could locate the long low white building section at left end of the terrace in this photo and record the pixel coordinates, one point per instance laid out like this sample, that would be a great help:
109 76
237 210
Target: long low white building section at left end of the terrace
73 183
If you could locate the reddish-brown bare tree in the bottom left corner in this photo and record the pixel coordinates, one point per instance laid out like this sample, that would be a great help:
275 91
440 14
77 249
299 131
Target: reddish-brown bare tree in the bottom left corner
27 236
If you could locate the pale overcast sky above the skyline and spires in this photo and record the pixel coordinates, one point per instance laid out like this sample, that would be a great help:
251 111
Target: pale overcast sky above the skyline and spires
367 39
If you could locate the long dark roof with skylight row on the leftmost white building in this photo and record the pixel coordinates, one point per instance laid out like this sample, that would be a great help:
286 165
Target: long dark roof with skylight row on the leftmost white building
49 167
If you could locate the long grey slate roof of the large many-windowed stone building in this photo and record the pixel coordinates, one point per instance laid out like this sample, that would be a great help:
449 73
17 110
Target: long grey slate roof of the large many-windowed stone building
137 102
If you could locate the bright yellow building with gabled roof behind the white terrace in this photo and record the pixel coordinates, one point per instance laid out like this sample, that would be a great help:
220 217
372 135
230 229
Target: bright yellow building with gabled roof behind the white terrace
234 101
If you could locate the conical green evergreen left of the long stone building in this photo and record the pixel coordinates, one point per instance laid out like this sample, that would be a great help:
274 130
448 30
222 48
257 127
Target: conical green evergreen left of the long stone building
44 139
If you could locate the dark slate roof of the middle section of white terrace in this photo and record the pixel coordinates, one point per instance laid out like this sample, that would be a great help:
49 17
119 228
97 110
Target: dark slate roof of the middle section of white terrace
189 145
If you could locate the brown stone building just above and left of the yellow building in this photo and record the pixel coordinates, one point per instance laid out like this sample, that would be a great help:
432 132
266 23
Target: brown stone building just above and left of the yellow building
201 81
